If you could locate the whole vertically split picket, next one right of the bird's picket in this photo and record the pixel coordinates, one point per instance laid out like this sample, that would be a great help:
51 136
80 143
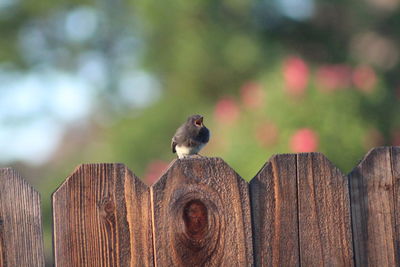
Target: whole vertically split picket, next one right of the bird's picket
292 196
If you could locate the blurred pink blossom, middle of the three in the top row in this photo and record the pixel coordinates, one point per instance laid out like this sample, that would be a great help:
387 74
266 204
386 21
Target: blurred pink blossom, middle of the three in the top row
333 77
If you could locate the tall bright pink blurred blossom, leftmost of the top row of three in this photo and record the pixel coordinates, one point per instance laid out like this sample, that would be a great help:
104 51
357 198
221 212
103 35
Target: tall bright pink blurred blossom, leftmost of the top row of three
296 75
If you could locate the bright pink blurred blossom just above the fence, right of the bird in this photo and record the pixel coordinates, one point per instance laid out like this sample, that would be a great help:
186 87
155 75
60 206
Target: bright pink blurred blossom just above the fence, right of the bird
304 140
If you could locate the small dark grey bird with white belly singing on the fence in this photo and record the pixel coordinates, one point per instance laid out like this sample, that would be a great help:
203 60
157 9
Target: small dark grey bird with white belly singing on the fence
190 137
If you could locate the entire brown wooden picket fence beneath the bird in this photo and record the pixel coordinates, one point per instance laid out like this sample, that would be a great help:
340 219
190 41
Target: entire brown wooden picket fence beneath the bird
299 210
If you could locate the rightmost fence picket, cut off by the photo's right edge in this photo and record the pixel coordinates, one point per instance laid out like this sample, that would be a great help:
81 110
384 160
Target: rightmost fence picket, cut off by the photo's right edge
373 209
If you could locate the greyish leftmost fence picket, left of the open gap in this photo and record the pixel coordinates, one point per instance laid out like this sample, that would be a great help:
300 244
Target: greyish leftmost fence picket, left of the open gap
21 242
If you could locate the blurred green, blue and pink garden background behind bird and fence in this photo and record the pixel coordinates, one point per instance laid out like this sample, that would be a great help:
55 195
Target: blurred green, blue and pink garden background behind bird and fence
110 81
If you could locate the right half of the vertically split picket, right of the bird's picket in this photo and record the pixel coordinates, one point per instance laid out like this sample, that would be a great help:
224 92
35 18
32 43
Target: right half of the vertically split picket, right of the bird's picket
324 213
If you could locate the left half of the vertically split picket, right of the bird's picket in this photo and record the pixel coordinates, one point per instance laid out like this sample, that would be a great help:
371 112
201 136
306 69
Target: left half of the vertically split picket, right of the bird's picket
274 213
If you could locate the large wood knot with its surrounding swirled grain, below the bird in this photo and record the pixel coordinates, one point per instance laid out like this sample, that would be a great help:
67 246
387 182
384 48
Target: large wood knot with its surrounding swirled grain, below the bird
196 224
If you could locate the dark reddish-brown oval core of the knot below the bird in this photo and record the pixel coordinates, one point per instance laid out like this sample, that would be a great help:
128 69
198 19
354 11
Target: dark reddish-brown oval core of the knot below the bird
196 219
